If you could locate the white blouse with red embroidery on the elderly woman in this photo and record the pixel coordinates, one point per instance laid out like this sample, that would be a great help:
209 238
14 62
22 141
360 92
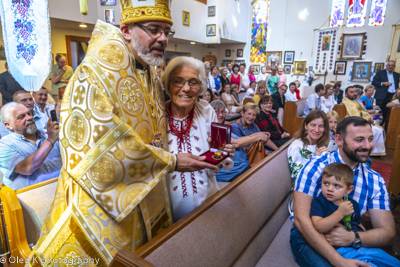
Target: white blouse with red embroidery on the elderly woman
188 190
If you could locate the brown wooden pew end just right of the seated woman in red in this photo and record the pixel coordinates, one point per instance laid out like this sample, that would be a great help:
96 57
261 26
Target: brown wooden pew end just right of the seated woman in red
292 116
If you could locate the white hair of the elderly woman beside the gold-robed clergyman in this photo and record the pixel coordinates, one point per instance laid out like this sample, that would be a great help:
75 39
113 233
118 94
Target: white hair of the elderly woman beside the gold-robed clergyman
188 62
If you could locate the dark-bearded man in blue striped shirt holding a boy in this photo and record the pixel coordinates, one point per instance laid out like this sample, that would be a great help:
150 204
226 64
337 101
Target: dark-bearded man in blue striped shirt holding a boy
355 141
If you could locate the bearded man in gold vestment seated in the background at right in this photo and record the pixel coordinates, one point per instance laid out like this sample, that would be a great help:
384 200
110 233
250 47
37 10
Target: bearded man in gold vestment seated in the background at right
356 109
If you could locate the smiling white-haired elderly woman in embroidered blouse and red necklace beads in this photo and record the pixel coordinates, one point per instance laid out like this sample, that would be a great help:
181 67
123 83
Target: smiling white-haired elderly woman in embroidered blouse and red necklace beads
189 125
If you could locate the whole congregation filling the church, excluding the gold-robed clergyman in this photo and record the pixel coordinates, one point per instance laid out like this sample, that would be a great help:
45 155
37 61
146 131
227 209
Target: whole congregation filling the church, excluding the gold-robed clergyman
200 95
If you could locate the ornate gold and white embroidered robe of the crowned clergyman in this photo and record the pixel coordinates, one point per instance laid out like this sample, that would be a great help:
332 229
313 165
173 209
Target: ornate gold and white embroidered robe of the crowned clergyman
111 192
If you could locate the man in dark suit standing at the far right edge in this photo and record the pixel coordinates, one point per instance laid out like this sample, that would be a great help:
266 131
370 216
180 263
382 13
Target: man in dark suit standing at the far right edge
386 82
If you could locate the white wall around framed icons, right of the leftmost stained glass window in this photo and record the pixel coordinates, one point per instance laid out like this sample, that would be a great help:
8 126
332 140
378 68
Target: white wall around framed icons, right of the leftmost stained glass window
288 33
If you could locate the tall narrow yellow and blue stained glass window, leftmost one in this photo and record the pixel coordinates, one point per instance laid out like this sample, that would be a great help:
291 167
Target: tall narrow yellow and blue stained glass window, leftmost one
259 31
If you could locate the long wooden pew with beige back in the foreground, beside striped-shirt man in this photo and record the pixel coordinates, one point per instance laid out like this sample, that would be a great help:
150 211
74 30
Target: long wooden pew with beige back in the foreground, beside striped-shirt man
245 224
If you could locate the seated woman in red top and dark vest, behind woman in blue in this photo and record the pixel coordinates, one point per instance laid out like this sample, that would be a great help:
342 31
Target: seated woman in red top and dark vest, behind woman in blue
267 123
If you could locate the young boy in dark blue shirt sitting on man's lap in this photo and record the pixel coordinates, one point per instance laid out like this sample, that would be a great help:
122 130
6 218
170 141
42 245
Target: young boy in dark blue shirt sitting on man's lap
330 208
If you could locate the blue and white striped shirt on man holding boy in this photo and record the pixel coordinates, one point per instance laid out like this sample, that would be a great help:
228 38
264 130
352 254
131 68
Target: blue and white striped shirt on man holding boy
369 187
